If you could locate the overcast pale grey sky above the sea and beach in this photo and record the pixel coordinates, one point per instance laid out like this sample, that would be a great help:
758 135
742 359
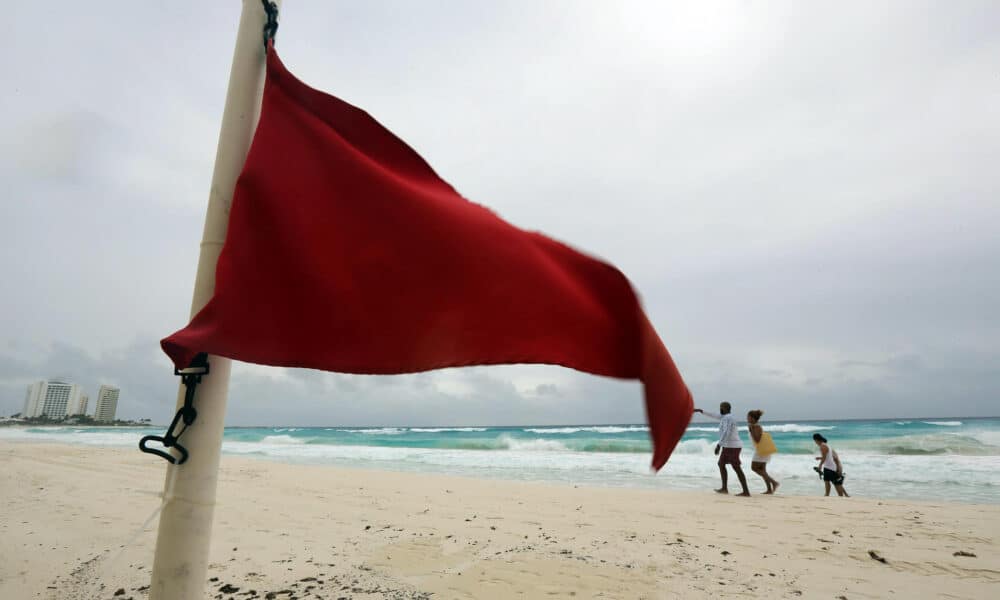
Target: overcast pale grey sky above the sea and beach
806 195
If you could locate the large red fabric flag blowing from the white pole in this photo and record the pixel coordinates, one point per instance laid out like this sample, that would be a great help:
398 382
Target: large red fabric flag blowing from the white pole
346 252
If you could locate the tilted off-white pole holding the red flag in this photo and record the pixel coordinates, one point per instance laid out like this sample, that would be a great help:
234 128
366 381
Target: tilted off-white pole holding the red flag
180 563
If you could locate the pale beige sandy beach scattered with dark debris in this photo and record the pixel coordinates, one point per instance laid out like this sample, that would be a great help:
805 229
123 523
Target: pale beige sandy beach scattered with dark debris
71 518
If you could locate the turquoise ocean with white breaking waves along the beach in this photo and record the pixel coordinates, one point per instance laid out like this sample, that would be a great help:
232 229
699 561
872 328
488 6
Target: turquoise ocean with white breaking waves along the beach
953 459
